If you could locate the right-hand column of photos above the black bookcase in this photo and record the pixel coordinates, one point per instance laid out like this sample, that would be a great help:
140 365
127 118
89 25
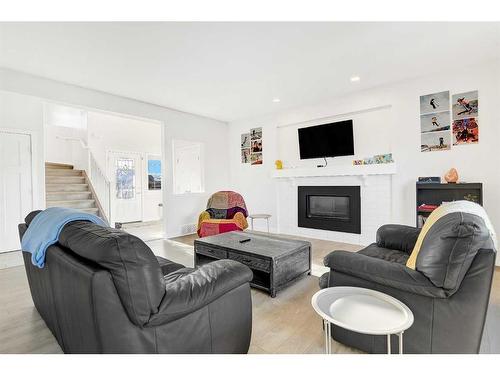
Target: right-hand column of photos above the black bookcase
465 110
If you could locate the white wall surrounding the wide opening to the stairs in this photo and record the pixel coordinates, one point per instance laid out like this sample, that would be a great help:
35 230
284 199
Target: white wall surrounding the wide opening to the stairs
25 111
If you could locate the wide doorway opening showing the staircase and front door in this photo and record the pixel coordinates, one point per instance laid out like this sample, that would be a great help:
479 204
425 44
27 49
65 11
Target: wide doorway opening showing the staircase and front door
109 164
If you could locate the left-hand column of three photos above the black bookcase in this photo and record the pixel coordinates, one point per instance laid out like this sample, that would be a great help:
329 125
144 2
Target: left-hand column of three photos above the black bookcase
435 122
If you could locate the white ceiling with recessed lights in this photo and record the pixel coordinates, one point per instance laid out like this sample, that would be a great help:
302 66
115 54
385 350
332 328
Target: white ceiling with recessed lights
230 71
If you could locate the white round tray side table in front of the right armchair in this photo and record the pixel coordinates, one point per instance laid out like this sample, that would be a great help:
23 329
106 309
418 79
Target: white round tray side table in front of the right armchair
362 310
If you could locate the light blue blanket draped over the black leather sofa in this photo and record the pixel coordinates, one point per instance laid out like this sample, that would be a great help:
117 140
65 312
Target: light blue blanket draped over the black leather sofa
45 228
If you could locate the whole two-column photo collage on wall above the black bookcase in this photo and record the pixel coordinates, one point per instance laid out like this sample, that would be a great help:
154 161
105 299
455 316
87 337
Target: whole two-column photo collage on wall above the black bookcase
436 120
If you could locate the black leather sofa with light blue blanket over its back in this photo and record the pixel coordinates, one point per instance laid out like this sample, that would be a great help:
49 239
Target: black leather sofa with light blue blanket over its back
103 291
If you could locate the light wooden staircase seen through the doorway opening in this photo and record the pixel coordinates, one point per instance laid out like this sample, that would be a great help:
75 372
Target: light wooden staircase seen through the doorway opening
68 187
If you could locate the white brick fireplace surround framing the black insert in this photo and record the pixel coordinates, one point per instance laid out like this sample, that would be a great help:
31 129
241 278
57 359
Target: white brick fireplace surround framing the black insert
376 208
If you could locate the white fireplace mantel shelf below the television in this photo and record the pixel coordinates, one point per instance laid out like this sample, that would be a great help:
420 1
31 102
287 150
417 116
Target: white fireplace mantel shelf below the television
338 170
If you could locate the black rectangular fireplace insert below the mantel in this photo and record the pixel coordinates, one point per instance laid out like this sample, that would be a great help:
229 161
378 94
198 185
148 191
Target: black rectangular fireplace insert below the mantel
336 208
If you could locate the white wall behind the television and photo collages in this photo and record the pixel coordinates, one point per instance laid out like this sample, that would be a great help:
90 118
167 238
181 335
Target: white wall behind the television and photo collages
400 124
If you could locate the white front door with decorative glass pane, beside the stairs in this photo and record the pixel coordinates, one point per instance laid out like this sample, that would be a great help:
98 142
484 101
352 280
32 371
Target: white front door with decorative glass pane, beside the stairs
126 179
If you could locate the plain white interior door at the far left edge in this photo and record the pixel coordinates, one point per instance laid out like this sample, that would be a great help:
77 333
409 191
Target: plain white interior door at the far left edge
16 196
